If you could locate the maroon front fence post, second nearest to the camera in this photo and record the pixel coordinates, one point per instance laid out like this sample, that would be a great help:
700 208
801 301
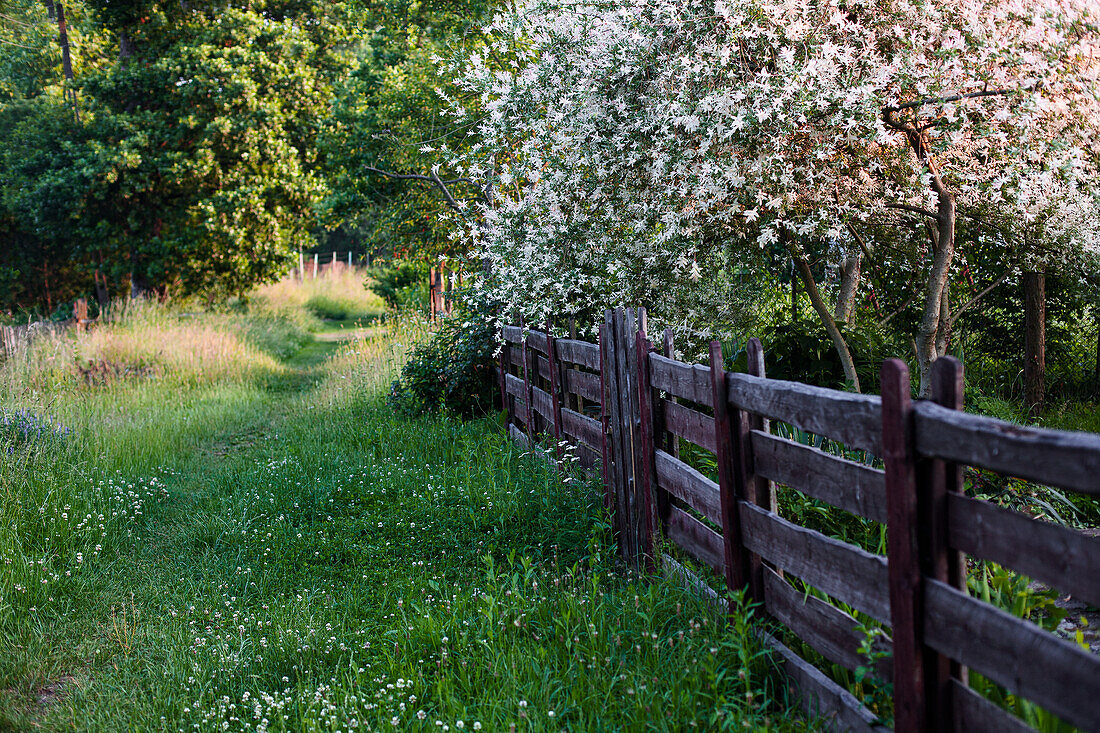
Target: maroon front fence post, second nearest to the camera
733 548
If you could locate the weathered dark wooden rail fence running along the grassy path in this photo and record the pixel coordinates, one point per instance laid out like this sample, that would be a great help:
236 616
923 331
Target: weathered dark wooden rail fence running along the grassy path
628 408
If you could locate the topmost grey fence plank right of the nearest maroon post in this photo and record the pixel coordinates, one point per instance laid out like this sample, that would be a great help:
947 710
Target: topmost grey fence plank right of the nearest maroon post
1058 458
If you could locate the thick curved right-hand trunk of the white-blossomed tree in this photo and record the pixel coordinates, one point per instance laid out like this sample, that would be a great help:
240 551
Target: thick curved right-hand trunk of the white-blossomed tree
943 253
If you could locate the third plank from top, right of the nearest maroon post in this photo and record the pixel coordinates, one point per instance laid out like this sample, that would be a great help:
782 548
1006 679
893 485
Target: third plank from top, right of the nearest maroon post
1036 664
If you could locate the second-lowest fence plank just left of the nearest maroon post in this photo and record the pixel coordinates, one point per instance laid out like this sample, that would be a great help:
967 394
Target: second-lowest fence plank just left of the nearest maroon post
829 630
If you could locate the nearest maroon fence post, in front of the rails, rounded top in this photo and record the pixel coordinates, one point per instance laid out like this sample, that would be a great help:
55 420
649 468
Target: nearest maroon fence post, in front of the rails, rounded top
911 713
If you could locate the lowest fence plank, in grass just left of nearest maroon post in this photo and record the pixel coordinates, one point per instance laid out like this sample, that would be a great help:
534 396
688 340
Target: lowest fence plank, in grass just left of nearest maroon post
822 697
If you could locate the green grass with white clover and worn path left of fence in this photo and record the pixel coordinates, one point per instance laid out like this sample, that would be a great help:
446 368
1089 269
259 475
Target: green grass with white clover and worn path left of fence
237 533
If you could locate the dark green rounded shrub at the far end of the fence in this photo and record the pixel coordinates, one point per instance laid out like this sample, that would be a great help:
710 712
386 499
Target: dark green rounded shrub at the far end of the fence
453 370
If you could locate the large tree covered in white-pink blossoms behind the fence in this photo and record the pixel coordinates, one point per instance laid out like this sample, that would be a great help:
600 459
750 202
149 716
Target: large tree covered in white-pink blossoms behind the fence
636 149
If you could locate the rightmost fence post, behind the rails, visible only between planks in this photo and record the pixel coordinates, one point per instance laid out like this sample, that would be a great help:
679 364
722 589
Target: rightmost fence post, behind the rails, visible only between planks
947 565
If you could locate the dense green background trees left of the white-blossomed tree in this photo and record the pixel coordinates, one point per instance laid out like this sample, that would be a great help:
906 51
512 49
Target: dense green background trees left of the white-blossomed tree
195 148
